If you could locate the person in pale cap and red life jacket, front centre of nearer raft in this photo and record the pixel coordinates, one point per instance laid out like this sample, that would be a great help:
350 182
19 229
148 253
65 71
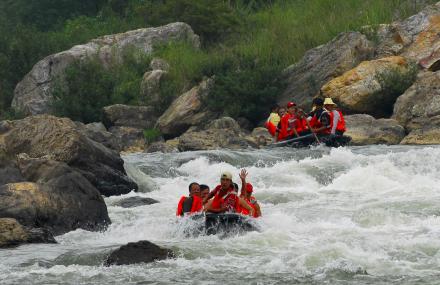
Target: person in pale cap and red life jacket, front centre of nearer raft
225 198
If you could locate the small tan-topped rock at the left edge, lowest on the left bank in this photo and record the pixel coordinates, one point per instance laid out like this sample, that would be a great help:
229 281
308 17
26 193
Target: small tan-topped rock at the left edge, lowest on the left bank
12 233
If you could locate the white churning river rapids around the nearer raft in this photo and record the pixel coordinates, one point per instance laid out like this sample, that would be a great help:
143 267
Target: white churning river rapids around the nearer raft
360 215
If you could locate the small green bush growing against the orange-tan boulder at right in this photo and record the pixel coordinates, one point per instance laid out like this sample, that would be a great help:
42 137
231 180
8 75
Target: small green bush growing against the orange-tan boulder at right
394 83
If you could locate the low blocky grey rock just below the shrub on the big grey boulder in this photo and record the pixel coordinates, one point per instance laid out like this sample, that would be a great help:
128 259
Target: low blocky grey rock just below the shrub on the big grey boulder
141 117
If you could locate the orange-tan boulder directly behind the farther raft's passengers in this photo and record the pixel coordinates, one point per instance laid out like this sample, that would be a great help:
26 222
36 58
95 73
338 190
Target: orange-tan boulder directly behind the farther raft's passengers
360 90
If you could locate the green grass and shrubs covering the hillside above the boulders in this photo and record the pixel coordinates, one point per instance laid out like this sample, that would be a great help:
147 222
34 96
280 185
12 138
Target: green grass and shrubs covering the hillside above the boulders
245 44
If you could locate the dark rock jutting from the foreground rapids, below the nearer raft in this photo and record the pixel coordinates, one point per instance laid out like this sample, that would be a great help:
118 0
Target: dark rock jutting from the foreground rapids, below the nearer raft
138 252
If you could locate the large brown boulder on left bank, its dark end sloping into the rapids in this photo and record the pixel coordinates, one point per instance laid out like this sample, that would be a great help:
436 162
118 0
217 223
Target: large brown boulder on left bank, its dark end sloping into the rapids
60 139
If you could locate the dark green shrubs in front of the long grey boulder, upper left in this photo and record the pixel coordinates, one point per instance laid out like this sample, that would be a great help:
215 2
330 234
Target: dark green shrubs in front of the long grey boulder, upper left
88 86
